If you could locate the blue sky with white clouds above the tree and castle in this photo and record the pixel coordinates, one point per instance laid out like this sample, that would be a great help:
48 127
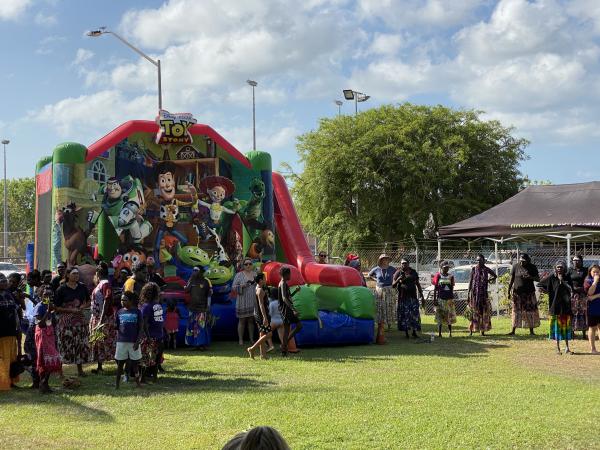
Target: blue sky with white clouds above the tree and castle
533 65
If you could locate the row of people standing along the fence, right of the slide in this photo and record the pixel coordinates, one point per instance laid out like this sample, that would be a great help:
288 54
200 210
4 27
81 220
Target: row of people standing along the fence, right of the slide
573 298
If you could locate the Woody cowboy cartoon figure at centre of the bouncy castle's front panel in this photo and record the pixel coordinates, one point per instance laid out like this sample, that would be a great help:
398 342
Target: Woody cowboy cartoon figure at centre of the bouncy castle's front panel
166 181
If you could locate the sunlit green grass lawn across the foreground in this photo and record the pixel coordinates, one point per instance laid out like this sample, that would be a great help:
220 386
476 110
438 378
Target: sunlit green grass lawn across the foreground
484 392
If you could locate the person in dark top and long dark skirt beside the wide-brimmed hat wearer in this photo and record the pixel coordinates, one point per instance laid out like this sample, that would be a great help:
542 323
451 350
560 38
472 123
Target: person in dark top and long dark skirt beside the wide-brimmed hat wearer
406 280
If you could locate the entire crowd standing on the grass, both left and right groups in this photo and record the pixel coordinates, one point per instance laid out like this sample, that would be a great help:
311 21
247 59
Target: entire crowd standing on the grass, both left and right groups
122 318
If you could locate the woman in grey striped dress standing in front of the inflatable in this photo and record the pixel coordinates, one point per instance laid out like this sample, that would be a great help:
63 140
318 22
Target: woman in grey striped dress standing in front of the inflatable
244 285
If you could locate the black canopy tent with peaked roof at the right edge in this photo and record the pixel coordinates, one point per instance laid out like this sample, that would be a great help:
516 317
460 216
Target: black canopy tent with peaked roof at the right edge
564 211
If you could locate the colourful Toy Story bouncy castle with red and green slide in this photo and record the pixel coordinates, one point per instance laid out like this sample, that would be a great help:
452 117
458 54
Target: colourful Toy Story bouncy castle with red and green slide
179 192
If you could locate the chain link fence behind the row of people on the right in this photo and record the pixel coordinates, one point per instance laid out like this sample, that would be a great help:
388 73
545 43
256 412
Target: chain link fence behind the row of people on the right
423 257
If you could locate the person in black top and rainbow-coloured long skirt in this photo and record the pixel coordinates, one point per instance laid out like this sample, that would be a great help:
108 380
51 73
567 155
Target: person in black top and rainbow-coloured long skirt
559 288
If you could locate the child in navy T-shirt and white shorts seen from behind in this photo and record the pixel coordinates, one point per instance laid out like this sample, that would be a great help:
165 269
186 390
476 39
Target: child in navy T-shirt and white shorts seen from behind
129 323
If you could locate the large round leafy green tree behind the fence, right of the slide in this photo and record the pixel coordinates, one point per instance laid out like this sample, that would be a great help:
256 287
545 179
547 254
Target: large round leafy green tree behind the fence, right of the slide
378 176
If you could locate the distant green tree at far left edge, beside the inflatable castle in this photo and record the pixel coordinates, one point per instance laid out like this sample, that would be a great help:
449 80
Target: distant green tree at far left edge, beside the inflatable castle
21 204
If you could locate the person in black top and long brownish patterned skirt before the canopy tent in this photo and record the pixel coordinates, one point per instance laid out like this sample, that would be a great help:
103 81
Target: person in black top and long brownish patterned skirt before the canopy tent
521 291
